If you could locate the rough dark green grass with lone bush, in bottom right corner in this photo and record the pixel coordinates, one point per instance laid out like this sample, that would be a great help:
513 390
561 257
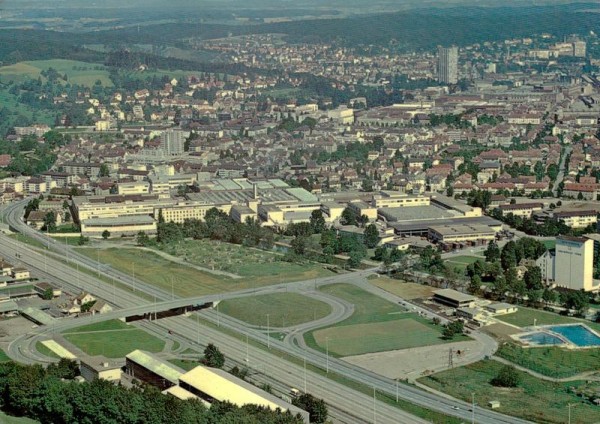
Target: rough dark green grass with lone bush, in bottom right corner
535 400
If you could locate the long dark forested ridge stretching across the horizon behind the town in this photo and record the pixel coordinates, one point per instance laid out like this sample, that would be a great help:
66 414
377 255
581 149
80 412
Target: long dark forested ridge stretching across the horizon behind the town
415 30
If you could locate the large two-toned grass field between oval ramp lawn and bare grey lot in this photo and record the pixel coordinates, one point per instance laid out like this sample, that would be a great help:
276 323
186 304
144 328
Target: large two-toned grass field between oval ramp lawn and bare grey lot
377 325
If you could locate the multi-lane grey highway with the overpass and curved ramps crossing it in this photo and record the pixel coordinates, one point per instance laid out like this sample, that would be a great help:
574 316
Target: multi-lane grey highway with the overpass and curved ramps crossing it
362 406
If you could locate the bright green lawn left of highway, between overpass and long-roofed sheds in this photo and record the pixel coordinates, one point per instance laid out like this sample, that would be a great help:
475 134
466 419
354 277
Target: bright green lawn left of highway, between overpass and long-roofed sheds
113 339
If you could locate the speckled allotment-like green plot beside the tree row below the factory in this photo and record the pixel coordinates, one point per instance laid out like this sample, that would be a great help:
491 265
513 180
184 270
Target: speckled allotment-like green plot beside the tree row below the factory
244 261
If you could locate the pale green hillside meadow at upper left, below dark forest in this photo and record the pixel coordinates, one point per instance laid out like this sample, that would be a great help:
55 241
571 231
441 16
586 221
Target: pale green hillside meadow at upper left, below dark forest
81 73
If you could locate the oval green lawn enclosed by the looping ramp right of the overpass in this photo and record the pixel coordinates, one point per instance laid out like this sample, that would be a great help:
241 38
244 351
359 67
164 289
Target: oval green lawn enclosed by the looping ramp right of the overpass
284 309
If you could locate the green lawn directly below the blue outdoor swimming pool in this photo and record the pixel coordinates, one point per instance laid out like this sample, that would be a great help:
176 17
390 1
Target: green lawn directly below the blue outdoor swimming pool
552 361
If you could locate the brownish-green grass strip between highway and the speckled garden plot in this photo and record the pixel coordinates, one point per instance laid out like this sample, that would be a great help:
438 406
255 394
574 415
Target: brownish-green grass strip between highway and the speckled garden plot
187 281
